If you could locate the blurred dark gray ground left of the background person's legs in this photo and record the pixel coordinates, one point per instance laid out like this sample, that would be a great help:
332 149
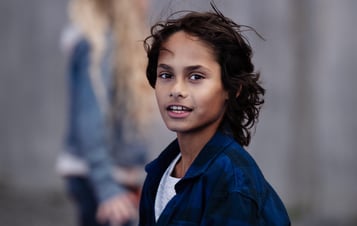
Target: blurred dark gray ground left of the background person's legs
20 208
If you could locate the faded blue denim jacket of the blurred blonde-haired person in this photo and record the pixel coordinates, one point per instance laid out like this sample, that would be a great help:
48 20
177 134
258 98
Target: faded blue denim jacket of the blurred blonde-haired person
89 136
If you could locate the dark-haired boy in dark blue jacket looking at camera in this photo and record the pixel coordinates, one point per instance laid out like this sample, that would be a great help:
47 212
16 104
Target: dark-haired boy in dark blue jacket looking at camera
208 93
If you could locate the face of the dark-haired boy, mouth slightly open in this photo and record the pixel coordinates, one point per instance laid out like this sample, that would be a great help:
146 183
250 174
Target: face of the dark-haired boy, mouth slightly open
188 88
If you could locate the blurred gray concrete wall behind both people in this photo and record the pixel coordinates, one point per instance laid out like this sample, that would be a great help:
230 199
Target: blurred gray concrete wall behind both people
305 140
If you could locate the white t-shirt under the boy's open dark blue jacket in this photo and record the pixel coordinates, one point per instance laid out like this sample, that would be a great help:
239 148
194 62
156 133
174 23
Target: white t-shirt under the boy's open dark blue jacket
166 188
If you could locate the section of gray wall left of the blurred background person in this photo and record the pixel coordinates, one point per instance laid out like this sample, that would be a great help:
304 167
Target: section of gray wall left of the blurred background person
32 92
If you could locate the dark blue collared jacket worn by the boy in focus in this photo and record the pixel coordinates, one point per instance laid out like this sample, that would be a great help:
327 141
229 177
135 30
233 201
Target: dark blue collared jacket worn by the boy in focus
223 186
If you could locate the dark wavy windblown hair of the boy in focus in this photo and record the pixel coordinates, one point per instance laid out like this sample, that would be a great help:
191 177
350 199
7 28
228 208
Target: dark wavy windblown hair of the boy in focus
232 51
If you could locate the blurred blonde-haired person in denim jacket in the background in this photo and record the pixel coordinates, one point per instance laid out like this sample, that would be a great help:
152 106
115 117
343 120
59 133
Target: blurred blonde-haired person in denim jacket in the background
105 146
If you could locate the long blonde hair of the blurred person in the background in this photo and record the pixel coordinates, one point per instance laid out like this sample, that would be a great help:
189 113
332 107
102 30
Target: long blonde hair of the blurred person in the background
133 98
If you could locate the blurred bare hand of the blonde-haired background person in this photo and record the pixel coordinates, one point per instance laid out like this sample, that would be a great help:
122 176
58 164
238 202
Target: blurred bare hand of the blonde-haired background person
118 210
